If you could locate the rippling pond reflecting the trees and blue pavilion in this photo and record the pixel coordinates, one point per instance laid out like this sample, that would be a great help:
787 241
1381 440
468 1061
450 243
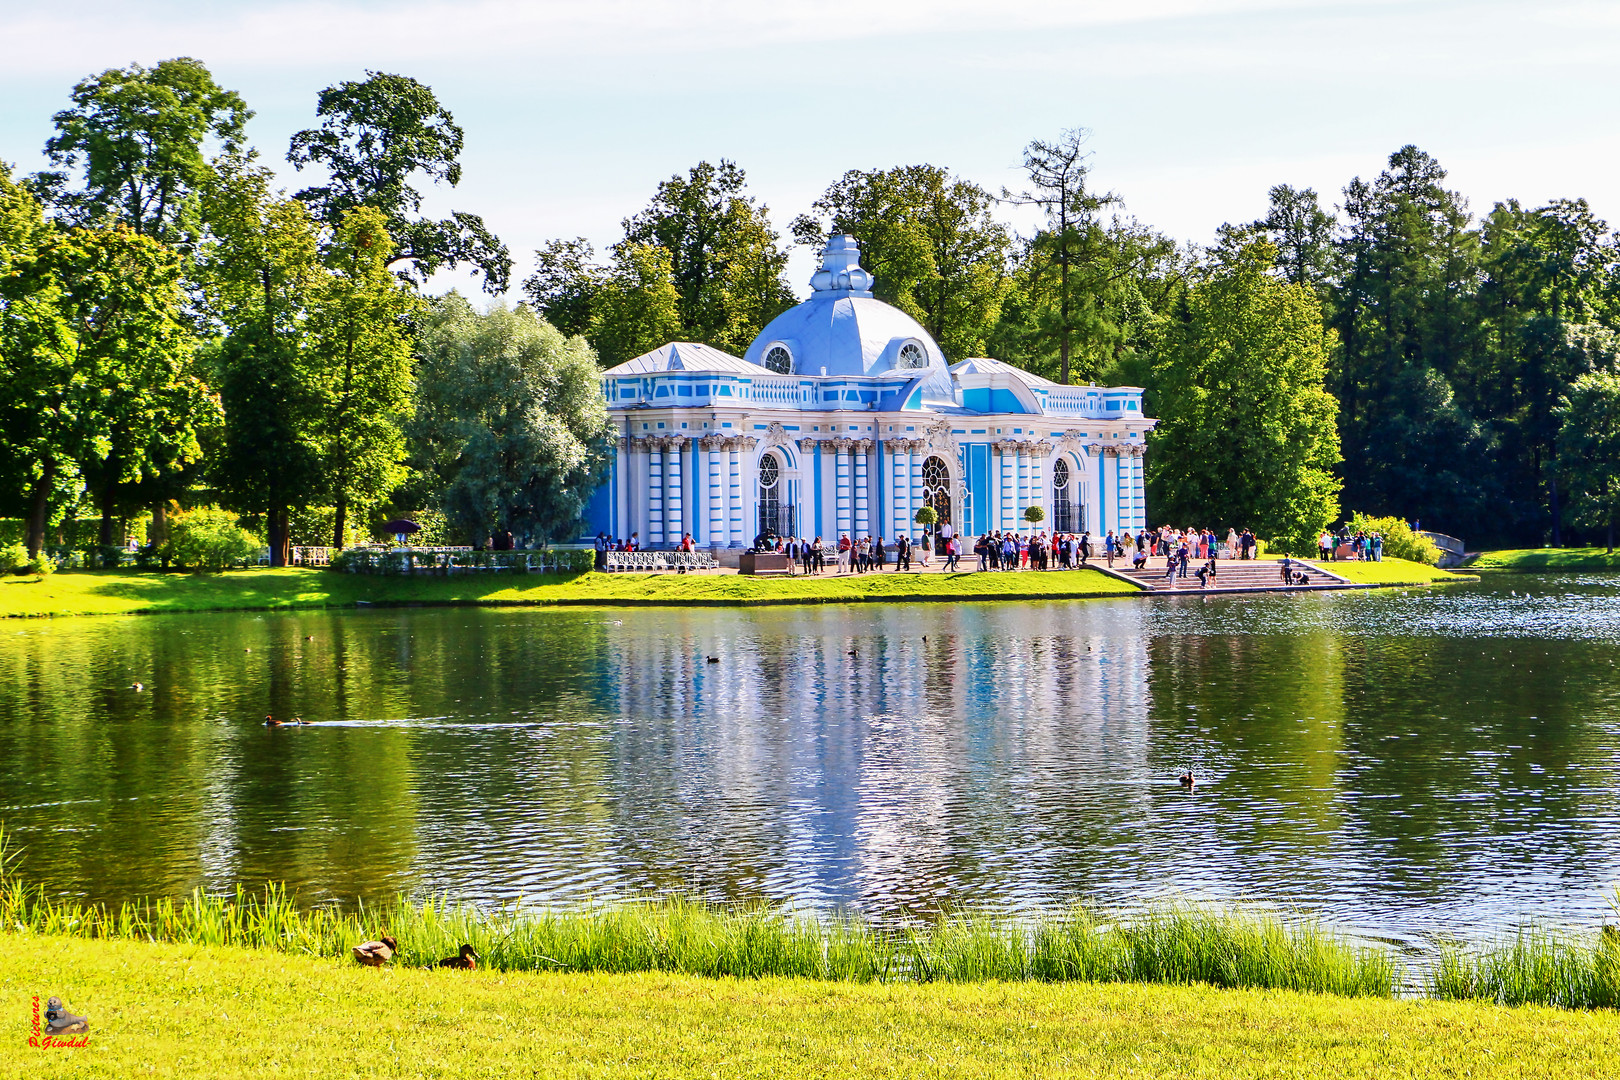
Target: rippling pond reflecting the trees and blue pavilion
1404 763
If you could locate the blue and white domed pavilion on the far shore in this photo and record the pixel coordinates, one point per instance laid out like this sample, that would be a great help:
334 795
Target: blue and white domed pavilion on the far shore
845 419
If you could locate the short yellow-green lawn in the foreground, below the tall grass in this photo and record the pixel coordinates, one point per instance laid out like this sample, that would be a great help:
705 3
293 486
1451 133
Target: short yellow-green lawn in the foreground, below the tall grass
192 1011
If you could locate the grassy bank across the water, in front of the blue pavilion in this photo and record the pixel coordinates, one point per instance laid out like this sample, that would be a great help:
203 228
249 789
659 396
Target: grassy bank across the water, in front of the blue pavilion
129 592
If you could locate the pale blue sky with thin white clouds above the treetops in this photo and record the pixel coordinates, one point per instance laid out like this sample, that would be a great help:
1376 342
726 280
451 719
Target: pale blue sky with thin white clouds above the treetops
576 111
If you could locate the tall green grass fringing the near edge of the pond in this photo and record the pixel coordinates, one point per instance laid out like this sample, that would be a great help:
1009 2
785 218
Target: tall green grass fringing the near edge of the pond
1170 945
